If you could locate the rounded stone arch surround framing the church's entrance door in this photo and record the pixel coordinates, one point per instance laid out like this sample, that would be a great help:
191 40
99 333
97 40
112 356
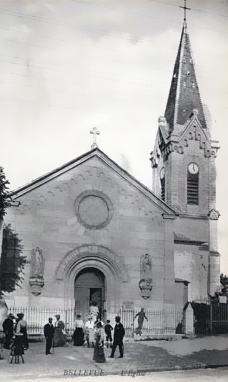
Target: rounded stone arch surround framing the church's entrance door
100 258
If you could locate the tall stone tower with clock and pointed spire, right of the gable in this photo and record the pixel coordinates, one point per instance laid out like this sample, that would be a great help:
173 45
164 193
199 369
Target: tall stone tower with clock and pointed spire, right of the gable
184 175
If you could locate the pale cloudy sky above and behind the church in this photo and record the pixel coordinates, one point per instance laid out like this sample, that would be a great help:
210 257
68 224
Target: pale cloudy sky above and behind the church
68 66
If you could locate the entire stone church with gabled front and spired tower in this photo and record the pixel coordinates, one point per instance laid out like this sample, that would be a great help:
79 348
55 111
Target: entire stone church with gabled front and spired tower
93 233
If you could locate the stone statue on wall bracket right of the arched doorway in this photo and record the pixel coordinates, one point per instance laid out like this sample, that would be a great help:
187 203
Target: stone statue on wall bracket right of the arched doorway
145 283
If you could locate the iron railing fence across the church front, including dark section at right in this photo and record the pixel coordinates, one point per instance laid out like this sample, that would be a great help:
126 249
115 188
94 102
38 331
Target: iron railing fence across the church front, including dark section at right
210 318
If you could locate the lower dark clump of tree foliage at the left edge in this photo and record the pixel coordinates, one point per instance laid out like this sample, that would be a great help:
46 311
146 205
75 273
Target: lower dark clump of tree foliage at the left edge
12 261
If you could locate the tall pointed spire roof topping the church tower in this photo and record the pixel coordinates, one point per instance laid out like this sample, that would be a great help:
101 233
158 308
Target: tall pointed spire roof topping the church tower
184 94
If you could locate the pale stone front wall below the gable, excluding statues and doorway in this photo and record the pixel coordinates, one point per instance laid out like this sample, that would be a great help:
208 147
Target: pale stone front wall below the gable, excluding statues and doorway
90 205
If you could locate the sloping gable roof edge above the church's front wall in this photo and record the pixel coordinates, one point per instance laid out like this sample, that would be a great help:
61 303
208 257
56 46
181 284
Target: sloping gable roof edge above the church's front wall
167 209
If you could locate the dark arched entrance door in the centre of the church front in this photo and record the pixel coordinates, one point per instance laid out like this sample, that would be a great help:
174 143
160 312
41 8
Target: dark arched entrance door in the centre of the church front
89 287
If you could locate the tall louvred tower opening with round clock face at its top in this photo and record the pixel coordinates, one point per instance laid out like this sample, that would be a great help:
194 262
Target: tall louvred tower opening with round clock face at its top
193 184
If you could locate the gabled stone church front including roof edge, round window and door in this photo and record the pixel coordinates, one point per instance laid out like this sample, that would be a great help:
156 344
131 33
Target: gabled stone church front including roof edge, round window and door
92 223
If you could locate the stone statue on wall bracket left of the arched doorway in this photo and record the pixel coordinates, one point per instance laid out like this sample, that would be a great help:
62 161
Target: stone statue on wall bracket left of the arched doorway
36 280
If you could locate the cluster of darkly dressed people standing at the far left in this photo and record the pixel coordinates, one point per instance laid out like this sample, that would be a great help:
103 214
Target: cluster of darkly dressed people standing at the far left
15 331
